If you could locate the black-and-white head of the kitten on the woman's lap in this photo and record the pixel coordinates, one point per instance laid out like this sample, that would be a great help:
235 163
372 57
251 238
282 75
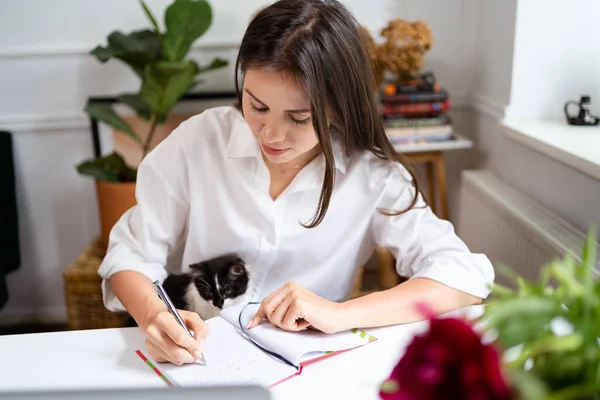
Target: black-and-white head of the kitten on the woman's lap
220 278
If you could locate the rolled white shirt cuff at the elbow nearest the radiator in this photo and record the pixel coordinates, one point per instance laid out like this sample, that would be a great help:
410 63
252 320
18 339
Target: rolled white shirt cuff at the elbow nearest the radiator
476 278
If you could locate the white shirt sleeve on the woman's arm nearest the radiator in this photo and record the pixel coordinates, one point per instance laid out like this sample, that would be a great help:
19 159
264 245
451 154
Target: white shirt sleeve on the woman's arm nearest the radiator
424 245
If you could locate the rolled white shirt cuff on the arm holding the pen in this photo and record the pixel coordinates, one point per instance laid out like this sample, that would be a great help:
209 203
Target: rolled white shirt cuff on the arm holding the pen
154 272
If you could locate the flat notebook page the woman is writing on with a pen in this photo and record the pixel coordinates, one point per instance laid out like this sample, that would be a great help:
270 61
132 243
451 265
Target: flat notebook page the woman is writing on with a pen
231 359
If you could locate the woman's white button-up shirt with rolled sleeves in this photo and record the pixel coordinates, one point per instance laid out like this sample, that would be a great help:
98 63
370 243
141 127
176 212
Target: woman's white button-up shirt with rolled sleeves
204 191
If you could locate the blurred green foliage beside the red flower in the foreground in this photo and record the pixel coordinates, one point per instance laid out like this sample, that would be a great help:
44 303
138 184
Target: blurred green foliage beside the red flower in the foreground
550 328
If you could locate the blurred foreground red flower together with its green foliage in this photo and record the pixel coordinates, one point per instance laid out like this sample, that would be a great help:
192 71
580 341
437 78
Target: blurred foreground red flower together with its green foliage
543 342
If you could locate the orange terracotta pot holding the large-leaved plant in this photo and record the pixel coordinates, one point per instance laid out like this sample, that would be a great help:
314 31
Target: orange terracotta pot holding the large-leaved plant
114 198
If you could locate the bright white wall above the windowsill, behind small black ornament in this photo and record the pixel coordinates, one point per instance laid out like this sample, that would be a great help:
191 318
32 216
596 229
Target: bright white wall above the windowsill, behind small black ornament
556 57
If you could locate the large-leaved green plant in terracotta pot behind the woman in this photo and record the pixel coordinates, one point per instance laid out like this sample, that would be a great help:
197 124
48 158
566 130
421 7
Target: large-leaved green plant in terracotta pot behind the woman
158 58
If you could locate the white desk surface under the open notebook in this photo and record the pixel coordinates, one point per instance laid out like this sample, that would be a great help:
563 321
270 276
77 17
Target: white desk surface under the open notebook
106 359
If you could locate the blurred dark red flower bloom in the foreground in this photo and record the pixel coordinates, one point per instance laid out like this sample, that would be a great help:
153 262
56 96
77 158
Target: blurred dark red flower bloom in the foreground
448 361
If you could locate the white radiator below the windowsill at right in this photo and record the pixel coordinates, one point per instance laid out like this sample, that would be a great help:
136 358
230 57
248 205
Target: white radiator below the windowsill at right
512 228
